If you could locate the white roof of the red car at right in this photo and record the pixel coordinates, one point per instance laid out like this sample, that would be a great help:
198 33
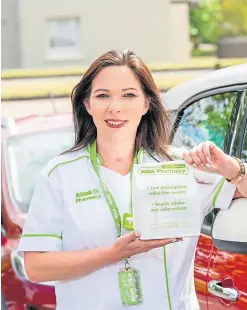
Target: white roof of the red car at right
229 76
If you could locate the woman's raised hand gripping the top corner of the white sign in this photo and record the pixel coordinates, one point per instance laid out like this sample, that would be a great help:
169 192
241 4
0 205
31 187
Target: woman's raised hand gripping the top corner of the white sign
208 157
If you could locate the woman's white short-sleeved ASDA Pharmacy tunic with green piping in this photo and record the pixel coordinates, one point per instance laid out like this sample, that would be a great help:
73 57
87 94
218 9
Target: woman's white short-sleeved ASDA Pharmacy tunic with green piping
69 212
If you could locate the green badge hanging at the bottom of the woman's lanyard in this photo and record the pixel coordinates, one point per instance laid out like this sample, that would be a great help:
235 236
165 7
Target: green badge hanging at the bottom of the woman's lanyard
130 288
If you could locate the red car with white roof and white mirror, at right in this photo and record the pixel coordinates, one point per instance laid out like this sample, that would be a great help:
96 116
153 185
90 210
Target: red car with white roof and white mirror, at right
214 107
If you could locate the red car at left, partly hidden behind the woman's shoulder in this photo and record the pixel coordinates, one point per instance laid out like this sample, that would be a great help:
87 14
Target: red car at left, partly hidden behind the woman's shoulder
27 145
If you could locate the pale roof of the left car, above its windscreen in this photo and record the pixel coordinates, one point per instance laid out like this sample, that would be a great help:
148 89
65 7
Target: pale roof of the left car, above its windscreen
35 123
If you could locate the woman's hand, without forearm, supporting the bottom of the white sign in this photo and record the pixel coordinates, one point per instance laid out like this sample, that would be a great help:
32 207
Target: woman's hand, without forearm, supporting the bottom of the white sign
130 244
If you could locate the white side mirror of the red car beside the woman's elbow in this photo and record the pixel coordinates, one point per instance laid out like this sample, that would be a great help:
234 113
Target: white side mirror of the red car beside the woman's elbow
229 231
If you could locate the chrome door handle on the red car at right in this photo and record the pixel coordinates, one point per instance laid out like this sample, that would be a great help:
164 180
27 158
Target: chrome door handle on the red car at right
228 293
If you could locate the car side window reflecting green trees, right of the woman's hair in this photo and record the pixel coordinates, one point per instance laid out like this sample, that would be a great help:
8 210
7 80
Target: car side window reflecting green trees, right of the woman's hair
205 119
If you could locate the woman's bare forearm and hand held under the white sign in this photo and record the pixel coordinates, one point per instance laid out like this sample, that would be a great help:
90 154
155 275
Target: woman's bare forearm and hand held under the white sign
66 265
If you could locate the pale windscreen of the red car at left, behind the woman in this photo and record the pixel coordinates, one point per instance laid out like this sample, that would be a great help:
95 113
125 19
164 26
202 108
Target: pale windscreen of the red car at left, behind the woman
27 155
